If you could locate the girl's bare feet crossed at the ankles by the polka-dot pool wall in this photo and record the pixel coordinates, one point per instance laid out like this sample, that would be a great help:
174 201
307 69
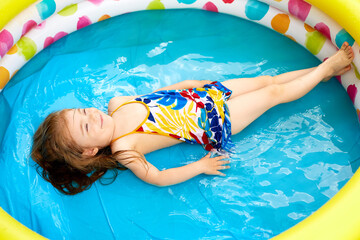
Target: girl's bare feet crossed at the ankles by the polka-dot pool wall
339 63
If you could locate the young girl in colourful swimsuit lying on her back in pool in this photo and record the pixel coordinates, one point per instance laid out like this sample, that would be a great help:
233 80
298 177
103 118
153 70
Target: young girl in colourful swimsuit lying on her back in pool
75 147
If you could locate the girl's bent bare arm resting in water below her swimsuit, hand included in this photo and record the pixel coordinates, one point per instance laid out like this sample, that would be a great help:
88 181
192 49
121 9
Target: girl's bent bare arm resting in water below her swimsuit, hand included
150 174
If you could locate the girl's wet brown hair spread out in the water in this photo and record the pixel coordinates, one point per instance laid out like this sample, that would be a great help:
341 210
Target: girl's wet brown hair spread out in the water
61 162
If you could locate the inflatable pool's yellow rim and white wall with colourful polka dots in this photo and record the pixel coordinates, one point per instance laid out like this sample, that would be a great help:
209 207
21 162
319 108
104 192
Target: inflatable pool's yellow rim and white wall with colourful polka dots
27 34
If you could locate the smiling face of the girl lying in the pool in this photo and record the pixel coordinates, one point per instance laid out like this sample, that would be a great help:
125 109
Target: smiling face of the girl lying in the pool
90 128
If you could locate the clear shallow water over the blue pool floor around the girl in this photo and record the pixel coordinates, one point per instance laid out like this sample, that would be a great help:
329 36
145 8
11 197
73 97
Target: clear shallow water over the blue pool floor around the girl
288 163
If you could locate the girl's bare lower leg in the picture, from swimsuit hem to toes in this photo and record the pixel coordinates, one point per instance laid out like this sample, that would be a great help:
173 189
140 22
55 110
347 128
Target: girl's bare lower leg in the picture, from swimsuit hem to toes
245 108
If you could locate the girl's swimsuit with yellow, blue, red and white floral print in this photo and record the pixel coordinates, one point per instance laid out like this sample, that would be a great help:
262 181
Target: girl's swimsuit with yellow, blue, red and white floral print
197 115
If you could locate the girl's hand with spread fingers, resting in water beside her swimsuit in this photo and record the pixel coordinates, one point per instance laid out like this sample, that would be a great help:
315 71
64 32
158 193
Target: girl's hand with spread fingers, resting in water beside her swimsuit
211 166
